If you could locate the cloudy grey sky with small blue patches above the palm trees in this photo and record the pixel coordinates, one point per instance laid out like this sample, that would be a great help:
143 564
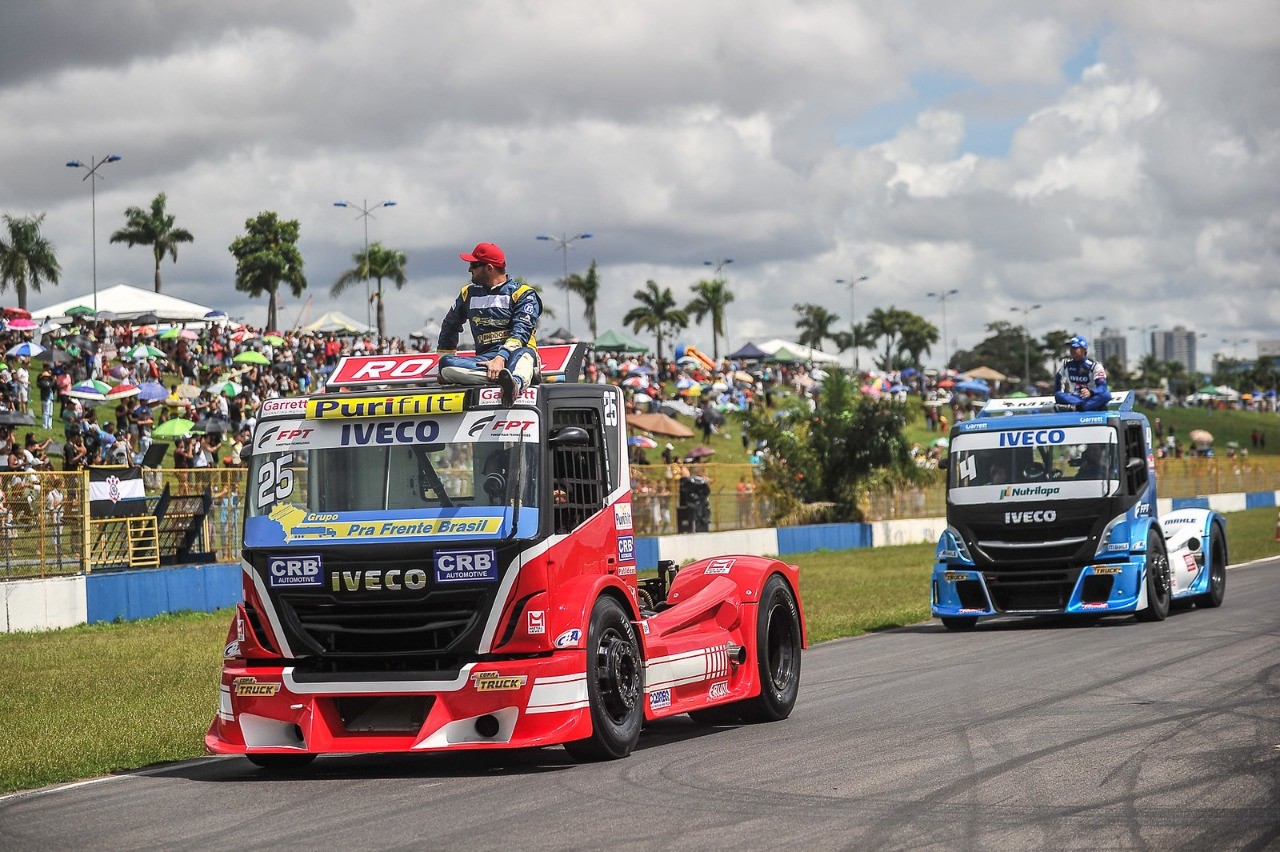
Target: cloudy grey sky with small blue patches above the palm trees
1100 158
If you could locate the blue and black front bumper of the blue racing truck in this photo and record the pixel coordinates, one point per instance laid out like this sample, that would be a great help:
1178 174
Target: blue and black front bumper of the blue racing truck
1091 590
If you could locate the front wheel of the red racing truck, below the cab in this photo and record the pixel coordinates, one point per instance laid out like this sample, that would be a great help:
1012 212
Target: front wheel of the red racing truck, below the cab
615 685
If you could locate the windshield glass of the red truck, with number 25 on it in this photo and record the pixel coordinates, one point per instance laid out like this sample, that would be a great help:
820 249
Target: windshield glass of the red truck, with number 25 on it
401 477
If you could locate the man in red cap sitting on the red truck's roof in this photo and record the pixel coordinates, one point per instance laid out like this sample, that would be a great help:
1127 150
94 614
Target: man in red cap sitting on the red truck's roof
504 315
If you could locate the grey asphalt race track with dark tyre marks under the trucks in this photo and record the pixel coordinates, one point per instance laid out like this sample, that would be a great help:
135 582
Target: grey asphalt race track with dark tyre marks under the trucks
1016 736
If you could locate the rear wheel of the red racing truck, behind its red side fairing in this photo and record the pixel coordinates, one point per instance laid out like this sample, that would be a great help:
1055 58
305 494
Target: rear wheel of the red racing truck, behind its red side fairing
778 654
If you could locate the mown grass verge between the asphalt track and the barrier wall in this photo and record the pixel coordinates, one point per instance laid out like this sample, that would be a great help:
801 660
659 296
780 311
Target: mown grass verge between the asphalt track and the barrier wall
86 702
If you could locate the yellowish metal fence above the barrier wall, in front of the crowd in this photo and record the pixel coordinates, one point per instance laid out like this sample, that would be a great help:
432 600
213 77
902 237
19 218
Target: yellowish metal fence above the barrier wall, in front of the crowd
45 520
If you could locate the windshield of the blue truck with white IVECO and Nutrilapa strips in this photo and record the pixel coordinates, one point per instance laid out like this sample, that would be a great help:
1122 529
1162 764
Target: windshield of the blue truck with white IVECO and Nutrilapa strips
1034 465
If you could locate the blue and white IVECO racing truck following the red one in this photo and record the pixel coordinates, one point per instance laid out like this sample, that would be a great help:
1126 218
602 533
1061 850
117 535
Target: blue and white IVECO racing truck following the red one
1053 512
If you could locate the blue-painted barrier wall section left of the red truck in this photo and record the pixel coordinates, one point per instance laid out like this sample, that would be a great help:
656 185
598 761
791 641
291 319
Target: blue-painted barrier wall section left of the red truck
130 596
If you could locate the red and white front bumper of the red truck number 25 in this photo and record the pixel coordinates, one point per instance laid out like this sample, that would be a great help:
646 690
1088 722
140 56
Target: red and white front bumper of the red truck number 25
514 704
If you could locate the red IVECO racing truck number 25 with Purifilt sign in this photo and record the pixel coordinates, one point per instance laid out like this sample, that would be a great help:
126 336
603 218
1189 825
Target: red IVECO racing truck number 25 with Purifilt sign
427 570
